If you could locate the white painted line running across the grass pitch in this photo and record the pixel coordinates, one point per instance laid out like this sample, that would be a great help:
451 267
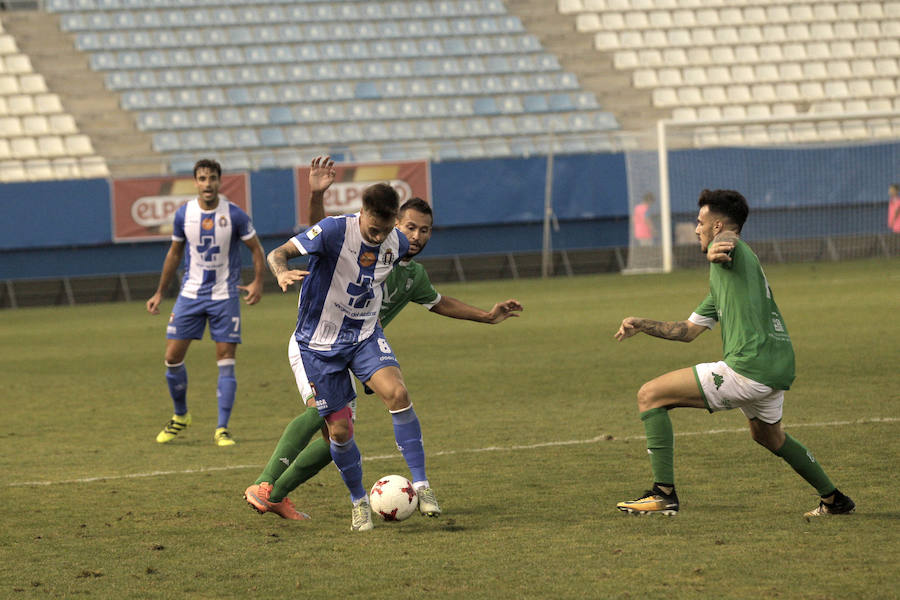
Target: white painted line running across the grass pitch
593 440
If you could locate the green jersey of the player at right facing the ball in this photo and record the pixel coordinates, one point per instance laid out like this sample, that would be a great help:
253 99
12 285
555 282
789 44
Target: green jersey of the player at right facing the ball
754 338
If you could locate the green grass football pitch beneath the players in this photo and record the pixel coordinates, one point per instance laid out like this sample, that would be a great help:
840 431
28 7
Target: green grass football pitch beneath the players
532 436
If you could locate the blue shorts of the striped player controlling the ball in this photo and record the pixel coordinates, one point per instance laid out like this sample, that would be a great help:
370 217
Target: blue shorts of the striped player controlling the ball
328 373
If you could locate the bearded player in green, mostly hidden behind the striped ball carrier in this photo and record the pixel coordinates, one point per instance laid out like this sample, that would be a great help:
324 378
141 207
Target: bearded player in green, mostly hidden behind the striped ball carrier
295 458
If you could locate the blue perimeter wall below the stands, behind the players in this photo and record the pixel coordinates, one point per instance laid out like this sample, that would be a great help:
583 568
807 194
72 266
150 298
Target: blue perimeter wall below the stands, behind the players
64 228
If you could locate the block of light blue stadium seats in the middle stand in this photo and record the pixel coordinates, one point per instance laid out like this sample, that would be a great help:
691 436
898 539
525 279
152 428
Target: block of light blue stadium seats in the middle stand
378 74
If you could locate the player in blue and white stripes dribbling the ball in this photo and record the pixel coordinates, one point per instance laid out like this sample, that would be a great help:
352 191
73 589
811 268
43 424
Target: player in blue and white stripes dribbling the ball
338 329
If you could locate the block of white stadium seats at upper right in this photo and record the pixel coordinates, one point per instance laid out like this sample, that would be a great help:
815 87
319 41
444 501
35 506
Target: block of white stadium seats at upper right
717 59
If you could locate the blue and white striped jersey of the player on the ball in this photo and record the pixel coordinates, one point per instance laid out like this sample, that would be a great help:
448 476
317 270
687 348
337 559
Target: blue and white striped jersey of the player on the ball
341 297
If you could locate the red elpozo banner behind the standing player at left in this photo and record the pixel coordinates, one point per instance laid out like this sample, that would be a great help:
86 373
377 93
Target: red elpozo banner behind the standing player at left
143 208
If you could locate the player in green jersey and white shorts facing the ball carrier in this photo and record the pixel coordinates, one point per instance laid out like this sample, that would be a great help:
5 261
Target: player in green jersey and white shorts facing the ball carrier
757 368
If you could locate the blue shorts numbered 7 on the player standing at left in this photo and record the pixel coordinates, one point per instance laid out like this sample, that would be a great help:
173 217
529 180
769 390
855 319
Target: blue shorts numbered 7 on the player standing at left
188 319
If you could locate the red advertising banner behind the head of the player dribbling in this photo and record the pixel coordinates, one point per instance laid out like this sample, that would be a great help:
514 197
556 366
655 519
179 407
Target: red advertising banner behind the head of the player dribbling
410 178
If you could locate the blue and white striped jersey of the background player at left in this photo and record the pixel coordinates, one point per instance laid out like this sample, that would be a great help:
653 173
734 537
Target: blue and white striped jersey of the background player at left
212 258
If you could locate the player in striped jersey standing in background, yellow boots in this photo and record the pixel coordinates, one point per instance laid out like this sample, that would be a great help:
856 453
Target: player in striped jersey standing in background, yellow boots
209 227
